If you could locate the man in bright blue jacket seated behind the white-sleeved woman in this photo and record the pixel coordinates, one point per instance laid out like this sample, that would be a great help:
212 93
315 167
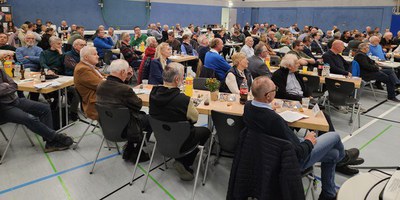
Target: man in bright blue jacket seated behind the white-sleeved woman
215 61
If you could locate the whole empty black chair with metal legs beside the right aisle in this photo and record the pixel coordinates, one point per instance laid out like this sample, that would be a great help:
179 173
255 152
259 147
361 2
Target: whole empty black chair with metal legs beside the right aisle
340 93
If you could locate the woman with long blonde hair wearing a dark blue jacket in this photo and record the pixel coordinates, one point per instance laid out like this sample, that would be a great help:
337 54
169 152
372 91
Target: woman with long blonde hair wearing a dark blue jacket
158 64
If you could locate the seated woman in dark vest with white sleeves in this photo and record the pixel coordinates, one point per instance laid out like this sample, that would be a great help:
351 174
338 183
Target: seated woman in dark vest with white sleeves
237 74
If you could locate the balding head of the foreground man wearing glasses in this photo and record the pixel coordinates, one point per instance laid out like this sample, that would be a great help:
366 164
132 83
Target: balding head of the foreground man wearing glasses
260 87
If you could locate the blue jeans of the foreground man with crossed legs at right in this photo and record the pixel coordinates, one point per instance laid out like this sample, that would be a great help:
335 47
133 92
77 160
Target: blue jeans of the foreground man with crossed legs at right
328 150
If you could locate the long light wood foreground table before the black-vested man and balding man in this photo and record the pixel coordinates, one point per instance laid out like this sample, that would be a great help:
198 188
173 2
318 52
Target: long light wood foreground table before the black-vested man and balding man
235 108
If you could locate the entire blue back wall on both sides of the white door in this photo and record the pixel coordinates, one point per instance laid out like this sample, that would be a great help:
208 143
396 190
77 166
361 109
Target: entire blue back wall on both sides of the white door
127 13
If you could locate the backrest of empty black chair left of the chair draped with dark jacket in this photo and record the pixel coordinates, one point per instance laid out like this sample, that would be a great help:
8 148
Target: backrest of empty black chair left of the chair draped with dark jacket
228 129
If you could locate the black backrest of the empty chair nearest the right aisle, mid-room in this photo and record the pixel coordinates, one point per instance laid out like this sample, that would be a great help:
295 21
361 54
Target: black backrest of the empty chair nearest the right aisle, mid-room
339 91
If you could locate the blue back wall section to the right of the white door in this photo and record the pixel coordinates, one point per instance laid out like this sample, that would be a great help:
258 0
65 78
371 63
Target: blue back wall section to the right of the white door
343 17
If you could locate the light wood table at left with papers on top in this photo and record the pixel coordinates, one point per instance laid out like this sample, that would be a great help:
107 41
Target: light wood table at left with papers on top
29 84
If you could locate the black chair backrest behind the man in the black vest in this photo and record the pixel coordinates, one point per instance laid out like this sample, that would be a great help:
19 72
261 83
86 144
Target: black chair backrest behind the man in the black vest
170 137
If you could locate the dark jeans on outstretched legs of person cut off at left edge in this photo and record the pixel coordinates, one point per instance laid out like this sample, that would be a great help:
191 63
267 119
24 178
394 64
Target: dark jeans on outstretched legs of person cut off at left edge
34 115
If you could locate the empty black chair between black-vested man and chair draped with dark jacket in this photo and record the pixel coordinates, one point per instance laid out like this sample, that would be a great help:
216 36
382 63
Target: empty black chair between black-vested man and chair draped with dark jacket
228 128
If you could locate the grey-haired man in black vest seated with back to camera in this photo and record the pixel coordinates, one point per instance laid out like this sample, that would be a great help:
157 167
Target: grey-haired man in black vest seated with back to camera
167 103
